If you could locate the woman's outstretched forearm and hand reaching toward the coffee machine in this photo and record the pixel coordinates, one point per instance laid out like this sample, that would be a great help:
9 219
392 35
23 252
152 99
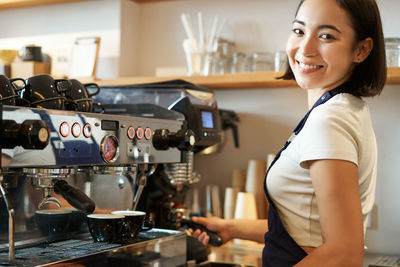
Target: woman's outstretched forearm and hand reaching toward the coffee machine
228 229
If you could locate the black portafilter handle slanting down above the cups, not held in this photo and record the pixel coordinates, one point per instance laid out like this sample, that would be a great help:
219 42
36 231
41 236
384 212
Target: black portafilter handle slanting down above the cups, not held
74 196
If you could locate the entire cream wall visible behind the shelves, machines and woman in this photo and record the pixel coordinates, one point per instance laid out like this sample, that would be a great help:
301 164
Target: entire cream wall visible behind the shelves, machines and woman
267 115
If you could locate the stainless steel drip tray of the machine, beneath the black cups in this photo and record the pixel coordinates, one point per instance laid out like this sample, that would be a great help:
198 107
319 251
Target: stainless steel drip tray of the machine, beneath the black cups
156 247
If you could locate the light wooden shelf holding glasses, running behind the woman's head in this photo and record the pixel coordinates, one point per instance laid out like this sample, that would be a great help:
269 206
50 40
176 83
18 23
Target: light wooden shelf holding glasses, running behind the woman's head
230 81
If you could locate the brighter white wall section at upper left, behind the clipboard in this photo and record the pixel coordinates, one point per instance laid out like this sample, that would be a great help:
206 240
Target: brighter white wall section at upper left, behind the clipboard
55 28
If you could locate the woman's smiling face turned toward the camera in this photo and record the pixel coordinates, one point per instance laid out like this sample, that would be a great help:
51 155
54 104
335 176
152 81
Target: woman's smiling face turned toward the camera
321 48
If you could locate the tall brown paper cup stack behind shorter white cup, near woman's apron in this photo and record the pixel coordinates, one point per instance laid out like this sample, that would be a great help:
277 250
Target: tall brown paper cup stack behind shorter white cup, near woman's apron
254 184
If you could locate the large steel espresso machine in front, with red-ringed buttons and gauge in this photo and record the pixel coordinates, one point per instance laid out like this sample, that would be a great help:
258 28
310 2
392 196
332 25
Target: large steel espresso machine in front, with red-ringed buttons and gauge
57 150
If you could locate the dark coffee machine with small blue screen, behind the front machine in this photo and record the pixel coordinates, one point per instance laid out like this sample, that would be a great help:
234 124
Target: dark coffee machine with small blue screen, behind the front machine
167 187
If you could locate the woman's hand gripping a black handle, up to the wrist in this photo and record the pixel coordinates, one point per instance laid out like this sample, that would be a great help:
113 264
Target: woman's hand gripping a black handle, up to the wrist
214 224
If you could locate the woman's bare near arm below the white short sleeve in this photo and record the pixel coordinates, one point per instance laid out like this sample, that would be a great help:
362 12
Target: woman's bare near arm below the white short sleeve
339 206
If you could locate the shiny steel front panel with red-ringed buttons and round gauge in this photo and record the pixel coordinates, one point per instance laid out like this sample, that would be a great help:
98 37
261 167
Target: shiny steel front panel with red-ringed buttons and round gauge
86 151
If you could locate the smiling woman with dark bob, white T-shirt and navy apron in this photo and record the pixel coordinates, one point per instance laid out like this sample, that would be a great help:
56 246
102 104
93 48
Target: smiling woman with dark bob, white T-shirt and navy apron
321 185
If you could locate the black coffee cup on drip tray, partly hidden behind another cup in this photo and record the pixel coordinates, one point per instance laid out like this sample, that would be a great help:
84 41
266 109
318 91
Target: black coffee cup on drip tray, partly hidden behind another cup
133 222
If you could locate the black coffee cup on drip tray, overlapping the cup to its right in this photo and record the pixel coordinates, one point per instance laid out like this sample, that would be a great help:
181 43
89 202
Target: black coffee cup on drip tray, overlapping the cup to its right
106 227
